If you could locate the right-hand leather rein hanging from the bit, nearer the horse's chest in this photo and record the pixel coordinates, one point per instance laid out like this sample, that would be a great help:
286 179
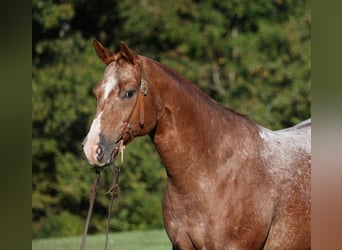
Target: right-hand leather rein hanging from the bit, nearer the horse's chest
115 189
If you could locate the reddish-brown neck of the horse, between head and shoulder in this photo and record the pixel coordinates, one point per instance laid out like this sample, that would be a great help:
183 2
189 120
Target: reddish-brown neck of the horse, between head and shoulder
191 126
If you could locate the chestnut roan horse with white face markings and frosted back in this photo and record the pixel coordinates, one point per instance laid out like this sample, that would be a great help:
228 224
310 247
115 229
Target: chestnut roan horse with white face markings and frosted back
231 183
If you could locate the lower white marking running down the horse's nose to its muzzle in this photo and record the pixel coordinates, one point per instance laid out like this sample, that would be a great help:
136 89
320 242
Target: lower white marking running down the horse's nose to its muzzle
93 139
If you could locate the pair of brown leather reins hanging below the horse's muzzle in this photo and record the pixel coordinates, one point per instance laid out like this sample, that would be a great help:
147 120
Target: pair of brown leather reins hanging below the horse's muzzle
113 190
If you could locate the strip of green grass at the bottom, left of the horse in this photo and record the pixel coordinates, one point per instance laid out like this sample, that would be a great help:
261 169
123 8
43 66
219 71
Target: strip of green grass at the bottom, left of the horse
146 240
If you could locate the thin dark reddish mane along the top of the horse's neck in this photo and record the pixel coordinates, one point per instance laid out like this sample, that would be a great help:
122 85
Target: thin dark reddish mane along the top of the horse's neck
195 88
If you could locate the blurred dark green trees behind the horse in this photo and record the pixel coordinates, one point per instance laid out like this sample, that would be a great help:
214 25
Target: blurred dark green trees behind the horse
251 56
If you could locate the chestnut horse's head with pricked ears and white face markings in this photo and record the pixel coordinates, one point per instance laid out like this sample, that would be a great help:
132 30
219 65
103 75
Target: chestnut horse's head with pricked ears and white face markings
124 105
